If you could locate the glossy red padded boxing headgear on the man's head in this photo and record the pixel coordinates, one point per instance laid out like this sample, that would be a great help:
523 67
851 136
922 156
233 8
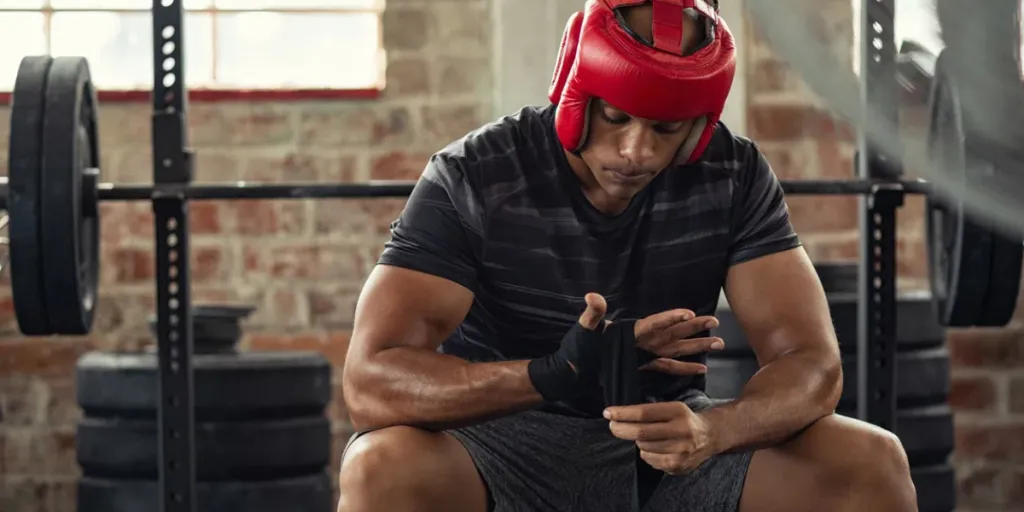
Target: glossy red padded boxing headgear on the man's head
600 59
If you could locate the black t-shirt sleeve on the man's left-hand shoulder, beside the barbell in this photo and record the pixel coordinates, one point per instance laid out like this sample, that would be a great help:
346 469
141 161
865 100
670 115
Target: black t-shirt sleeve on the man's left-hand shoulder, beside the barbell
439 231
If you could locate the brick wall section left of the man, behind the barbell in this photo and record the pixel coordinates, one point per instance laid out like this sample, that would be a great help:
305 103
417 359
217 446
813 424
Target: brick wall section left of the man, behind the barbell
302 263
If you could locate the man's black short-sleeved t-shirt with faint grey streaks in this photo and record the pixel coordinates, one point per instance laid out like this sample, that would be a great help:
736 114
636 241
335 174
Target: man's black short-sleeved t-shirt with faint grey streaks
501 214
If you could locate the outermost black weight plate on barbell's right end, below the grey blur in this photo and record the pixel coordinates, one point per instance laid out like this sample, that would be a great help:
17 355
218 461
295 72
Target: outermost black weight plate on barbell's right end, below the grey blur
1004 281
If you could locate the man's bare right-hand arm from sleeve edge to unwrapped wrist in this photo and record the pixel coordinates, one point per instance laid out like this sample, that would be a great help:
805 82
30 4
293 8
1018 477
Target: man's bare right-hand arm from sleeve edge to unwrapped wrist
780 304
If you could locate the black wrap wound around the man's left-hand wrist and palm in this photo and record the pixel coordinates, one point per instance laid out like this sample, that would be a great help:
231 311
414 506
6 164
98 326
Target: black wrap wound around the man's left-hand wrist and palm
554 377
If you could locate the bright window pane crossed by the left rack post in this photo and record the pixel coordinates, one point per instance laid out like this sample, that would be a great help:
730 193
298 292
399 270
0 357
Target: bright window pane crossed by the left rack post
119 47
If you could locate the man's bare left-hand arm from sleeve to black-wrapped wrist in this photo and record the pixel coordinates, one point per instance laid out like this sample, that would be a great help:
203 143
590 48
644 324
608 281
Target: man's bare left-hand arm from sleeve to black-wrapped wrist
394 375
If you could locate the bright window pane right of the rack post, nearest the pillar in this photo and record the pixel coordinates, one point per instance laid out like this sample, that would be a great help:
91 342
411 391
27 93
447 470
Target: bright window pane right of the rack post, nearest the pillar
273 50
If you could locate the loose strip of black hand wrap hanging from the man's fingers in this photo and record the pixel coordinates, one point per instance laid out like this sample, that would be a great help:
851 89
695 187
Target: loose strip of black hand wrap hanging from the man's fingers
621 380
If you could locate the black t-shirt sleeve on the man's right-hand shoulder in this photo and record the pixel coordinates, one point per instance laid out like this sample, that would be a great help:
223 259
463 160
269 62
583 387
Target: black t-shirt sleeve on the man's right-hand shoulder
761 219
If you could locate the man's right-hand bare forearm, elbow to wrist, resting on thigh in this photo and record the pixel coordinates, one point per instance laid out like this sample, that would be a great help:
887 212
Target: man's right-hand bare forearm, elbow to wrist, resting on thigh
783 398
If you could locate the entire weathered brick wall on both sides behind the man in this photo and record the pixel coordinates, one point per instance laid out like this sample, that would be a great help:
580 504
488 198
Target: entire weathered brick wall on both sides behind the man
302 264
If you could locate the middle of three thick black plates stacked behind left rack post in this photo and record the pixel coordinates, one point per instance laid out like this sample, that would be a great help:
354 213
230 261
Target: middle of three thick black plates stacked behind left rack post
225 451
